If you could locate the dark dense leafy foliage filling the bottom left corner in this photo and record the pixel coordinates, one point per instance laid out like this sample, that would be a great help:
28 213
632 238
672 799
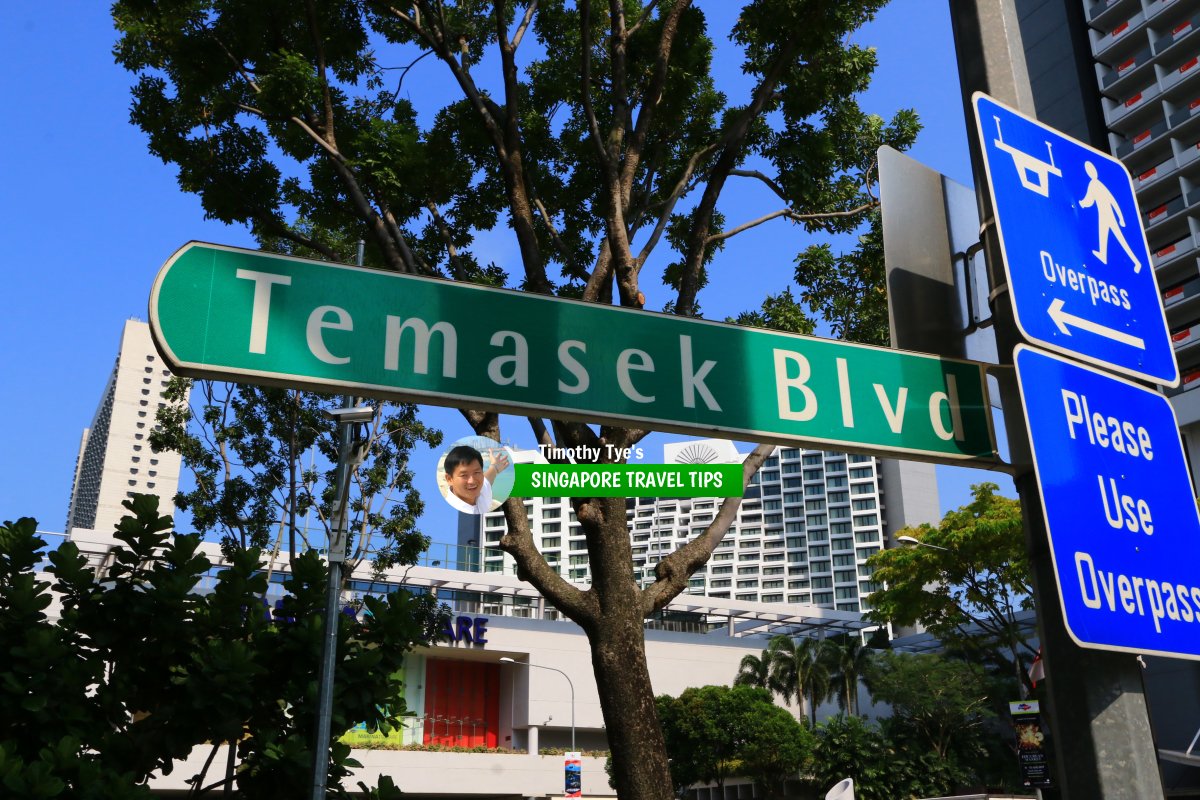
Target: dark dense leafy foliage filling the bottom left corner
141 669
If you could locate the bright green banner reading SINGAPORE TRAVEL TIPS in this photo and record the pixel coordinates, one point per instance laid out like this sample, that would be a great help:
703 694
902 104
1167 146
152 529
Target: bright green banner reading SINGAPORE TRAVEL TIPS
628 480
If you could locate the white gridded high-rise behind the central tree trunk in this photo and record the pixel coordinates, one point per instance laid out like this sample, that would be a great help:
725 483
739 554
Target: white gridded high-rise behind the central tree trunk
802 537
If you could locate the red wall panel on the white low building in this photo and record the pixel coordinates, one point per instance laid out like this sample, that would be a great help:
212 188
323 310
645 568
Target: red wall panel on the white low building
459 694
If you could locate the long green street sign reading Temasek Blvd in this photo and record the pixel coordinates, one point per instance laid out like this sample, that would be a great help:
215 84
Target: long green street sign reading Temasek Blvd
245 316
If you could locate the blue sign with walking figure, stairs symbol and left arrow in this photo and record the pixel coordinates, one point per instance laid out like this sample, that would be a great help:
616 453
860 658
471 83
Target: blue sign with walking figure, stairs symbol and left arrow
1075 248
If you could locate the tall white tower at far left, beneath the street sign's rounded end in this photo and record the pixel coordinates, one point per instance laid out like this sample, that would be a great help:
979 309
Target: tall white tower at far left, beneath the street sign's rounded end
116 460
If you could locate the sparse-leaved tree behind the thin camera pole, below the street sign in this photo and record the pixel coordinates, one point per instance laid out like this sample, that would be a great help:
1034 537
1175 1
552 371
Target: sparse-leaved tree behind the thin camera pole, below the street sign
247 446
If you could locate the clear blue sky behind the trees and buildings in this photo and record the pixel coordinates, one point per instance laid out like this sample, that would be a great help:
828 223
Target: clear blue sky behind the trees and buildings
91 216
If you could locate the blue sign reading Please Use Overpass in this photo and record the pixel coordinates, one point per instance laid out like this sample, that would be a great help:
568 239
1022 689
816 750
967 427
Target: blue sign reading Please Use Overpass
1123 522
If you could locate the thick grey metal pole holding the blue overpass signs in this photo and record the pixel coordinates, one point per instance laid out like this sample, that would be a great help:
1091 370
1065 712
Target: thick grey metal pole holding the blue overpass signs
1103 747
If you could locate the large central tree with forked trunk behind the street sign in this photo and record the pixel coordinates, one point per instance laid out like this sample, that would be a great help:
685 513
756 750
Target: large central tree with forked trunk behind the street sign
591 134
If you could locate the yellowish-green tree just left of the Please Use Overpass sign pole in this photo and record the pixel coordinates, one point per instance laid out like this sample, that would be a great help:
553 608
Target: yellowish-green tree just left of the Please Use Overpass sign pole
969 586
